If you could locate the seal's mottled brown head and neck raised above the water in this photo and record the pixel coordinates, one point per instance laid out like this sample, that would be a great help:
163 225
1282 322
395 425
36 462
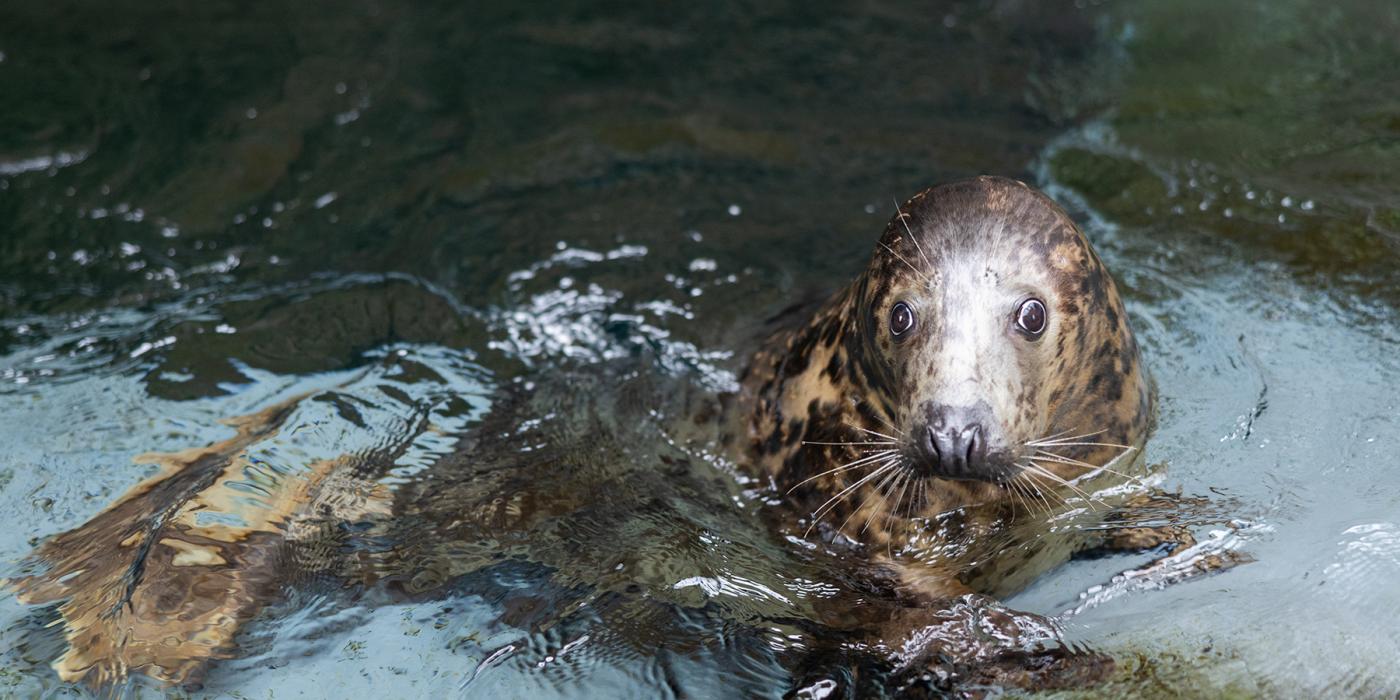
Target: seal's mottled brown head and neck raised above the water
983 356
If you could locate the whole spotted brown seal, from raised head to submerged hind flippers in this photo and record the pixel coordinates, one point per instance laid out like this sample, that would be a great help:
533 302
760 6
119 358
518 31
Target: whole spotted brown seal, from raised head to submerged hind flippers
978 366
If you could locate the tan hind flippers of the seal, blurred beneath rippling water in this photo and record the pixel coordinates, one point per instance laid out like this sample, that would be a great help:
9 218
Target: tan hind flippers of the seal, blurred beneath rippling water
162 582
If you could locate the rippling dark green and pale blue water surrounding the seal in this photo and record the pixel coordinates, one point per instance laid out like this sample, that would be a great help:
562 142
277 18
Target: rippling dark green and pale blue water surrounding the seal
215 209
